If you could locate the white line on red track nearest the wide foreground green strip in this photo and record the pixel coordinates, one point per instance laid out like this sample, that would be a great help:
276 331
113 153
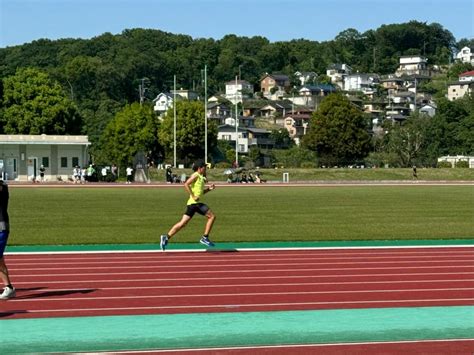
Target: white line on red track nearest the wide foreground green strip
251 305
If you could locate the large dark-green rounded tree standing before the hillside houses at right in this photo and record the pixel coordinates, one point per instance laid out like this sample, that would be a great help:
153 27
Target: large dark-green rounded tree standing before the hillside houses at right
338 132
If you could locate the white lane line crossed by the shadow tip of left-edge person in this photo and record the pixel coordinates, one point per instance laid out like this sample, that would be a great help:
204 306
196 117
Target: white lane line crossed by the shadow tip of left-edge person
343 283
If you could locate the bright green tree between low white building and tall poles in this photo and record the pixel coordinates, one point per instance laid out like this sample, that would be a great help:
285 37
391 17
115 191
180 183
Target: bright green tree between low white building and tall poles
134 129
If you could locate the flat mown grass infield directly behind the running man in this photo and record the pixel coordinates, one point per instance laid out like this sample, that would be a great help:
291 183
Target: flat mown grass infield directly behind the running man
61 216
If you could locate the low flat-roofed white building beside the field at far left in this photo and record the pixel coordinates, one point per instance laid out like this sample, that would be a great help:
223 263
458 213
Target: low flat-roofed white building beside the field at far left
22 155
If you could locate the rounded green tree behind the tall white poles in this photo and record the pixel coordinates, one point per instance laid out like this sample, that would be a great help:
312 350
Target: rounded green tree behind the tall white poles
190 131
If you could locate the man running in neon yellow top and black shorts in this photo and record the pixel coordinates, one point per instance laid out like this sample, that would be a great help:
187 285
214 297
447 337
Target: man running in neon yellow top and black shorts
195 185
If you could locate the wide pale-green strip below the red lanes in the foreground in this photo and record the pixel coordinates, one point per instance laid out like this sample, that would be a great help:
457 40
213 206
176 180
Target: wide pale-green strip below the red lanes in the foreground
175 331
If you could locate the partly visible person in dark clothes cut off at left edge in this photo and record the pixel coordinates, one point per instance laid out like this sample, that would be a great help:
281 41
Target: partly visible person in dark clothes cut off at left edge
9 290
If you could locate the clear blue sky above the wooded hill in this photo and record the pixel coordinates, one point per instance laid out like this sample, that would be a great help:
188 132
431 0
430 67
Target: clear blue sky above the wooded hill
23 21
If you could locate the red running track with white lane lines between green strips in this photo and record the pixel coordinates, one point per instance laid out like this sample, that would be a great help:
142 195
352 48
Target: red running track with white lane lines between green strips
132 283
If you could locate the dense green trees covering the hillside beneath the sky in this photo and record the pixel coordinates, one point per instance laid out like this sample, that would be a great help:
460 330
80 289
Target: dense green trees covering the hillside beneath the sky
75 86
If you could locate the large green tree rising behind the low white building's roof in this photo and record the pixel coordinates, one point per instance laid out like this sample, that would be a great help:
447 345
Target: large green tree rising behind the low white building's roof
35 104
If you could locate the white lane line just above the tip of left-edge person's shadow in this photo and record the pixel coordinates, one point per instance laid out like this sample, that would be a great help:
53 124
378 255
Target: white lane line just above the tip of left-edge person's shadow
238 277
